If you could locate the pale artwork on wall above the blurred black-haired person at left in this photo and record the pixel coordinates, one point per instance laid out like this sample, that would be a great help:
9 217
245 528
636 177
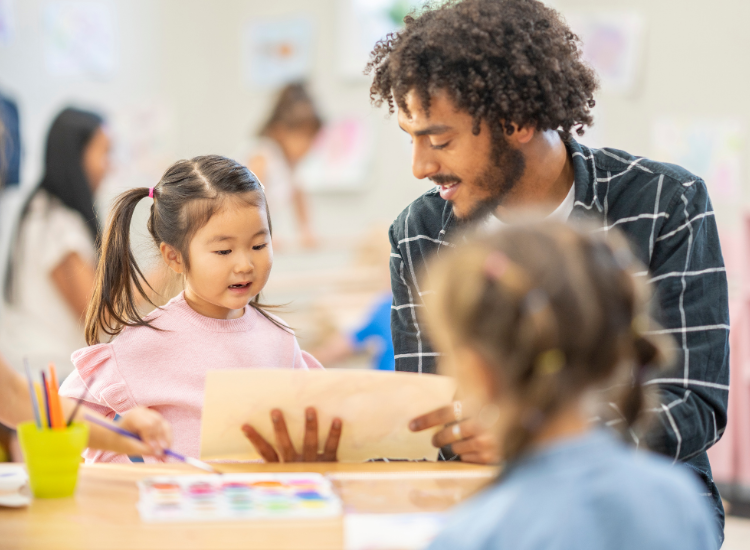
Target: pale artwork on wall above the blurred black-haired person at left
80 38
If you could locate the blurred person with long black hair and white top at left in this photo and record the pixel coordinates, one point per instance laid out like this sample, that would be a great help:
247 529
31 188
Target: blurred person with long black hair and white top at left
50 276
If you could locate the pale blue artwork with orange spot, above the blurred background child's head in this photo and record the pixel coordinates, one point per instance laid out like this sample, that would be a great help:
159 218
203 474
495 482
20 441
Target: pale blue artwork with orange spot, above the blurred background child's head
276 52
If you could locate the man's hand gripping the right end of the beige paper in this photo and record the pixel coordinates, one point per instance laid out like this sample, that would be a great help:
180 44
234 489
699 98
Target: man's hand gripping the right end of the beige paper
467 438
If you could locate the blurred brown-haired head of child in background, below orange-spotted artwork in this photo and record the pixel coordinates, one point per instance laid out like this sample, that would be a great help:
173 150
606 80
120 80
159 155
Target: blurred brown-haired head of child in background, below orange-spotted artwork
294 122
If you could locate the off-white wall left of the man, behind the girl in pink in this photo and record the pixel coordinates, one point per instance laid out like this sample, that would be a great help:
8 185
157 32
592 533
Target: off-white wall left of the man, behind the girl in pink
184 57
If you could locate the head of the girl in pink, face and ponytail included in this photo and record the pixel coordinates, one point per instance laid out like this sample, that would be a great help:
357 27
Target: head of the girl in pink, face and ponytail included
210 222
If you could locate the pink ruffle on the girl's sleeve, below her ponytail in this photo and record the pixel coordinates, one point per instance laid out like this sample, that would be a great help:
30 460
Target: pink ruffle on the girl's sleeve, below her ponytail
97 372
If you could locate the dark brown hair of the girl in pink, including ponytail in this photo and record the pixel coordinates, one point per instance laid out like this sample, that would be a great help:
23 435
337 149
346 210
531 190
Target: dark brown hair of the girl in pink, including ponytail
188 194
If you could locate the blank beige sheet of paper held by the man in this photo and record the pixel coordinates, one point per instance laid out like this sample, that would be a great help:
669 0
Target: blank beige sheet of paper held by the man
374 406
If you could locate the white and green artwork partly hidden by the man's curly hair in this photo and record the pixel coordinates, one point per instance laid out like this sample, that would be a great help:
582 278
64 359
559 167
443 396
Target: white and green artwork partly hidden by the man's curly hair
361 24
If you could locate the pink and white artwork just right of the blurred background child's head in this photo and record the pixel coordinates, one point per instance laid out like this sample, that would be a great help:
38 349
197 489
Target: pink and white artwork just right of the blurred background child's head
339 158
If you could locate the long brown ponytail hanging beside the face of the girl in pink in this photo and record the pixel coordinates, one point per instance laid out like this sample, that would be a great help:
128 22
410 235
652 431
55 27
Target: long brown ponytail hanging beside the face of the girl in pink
113 304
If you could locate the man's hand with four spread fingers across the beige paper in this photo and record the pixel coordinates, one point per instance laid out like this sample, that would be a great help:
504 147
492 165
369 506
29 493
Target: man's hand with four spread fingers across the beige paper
284 442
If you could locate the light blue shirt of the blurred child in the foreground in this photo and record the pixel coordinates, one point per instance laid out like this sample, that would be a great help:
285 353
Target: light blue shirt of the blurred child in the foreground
586 493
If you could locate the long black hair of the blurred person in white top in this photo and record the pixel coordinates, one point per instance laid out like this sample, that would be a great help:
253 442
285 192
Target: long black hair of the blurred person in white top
64 177
